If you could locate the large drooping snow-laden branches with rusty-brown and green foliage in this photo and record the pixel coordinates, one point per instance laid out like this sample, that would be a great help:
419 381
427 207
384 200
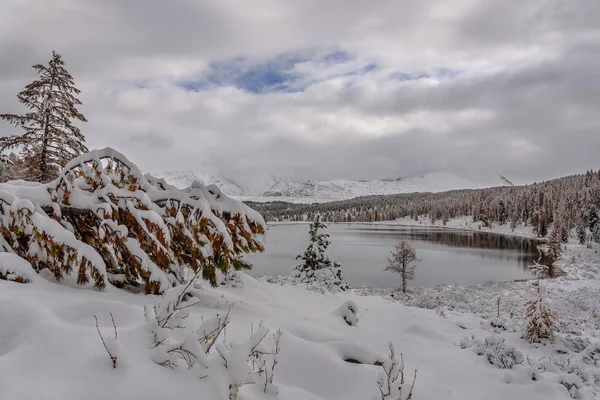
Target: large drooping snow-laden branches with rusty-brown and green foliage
103 220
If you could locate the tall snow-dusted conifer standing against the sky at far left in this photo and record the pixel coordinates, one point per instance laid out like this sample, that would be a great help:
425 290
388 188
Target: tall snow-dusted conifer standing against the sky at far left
50 140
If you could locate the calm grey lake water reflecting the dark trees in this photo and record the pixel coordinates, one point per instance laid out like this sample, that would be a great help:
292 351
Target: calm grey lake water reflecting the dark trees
447 256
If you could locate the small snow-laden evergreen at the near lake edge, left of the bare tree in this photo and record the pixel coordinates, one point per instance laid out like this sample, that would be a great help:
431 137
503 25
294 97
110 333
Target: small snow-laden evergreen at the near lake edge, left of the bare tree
317 270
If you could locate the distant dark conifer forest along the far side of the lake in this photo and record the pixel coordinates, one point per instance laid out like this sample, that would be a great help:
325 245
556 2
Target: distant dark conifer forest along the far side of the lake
566 203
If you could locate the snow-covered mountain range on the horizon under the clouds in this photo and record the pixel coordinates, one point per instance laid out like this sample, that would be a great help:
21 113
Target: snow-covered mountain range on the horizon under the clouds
286 189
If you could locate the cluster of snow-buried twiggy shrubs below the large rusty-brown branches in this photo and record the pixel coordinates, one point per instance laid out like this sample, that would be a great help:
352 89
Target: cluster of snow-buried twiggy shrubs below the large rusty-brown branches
203 351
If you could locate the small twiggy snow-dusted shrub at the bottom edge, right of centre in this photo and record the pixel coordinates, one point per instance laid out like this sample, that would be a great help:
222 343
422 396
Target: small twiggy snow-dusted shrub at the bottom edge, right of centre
391 381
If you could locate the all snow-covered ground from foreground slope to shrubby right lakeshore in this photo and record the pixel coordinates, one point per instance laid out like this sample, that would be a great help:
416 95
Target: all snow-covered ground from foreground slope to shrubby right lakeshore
50 349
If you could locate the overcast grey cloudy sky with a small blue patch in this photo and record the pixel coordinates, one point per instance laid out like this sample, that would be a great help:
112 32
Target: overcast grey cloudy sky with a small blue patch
324 88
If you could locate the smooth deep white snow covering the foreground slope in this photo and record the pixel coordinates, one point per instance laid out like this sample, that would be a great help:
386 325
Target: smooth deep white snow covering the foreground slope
50 349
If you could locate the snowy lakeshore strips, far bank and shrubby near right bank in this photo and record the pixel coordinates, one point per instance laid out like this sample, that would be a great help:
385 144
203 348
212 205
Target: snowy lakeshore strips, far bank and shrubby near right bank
575 292
